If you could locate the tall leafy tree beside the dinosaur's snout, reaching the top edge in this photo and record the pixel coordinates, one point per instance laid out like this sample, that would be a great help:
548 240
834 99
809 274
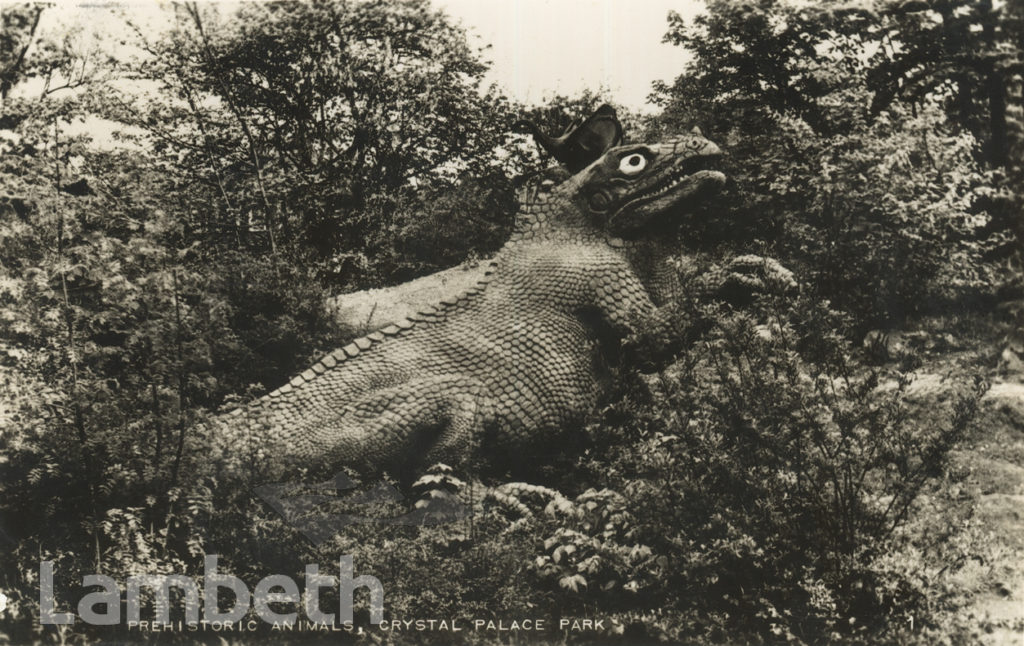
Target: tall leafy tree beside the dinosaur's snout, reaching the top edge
868 198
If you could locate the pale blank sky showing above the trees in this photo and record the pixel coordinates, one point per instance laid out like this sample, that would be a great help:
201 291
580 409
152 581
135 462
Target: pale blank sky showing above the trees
538 48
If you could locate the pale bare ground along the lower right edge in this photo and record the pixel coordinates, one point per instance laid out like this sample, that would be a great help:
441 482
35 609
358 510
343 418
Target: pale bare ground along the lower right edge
988 470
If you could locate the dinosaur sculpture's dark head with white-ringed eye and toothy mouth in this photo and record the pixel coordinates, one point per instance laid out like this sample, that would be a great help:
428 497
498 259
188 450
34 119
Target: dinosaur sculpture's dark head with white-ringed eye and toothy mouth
630 186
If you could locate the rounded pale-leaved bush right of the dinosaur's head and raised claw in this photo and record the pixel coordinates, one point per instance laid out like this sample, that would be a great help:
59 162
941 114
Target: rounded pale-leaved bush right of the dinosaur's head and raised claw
888 227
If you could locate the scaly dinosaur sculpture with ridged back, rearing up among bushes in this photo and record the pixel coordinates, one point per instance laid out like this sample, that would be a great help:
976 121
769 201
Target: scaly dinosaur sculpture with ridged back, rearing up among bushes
506 365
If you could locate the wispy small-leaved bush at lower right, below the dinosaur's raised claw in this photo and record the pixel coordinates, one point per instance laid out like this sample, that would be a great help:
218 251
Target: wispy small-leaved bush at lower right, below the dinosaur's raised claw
785 468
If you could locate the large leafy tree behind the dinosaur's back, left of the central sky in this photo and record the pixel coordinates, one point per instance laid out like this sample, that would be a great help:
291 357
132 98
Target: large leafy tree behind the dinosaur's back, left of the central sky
302 116
